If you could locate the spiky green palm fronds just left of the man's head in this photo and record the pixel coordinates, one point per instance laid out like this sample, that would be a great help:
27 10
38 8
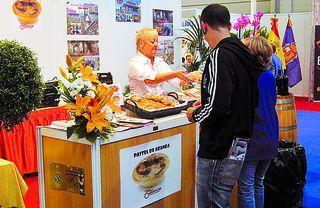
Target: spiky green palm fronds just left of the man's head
197 46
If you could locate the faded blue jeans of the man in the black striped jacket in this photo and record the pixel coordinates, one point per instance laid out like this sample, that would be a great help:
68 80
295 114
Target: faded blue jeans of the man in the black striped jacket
216 178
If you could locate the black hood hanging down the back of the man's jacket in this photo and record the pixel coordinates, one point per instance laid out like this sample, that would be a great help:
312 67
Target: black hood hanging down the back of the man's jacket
253 66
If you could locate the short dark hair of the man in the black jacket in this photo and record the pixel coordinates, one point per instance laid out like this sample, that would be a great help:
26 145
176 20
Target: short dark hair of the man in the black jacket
216 15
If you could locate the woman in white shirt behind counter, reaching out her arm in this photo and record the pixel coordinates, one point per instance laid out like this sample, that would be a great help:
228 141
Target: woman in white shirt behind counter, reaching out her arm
147 73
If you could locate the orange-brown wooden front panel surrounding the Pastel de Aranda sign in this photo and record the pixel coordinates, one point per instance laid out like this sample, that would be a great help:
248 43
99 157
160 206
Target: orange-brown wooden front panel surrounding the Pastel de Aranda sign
110 169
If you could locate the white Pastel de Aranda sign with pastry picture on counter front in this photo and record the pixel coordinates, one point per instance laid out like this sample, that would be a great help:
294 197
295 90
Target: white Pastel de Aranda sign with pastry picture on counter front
150 172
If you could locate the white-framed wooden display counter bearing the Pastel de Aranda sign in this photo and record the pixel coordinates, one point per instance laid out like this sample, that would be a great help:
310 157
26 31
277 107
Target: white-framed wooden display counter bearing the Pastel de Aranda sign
77 173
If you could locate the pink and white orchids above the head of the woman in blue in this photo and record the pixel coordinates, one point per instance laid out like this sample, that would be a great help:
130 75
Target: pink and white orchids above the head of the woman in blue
250 27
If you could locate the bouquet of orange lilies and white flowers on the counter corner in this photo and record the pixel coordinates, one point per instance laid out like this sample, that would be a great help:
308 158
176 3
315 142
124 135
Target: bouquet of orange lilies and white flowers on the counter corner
90 103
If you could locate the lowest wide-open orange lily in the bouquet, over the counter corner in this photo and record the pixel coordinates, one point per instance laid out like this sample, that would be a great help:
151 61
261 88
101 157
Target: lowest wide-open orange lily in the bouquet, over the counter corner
96 120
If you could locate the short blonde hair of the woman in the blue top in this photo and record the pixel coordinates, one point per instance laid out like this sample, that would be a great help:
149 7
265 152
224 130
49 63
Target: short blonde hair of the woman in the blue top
260 47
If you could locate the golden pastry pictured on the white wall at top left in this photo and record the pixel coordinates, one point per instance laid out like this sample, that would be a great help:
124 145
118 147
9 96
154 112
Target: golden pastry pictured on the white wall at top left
27 10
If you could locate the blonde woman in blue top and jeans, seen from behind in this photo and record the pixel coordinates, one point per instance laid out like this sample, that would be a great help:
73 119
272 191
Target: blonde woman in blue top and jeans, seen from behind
264 141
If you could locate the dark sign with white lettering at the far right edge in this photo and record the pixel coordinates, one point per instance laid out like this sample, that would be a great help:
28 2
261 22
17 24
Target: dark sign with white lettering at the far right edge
317 64
